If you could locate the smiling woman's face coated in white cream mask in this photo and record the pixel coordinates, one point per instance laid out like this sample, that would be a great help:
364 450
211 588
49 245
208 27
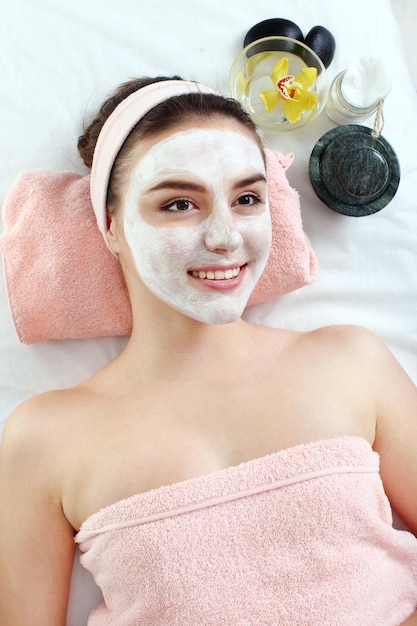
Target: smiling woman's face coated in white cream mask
203 261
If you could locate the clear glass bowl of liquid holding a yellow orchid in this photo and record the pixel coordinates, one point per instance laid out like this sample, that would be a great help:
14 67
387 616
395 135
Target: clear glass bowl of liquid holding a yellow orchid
268 77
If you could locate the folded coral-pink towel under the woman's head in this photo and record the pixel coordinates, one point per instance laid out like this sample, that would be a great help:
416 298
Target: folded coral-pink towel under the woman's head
63 282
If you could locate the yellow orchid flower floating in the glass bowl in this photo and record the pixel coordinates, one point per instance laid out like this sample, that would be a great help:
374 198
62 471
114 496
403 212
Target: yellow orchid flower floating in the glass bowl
291 92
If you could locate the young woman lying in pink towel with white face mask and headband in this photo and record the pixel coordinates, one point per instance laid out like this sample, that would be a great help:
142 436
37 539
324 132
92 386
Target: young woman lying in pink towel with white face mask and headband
216 472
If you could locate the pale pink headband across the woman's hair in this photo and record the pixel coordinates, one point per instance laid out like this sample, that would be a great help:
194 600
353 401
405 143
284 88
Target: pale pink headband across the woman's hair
116 130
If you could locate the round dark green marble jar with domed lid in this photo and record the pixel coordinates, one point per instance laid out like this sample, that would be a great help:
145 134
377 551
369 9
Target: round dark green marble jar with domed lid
353 172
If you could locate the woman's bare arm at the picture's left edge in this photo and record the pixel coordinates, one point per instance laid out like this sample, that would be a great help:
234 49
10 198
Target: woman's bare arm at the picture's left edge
36 541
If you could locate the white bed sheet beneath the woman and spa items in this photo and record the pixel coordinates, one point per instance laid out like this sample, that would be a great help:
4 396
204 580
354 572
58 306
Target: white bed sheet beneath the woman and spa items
60 59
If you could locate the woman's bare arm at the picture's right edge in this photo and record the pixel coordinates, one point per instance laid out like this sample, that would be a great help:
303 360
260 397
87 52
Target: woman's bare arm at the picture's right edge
393 397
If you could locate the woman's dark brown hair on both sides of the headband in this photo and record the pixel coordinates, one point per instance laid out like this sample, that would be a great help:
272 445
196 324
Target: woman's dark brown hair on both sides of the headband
167 114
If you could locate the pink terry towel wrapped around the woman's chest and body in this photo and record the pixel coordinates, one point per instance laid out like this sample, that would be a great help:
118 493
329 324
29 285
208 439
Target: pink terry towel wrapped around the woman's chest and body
300 537
